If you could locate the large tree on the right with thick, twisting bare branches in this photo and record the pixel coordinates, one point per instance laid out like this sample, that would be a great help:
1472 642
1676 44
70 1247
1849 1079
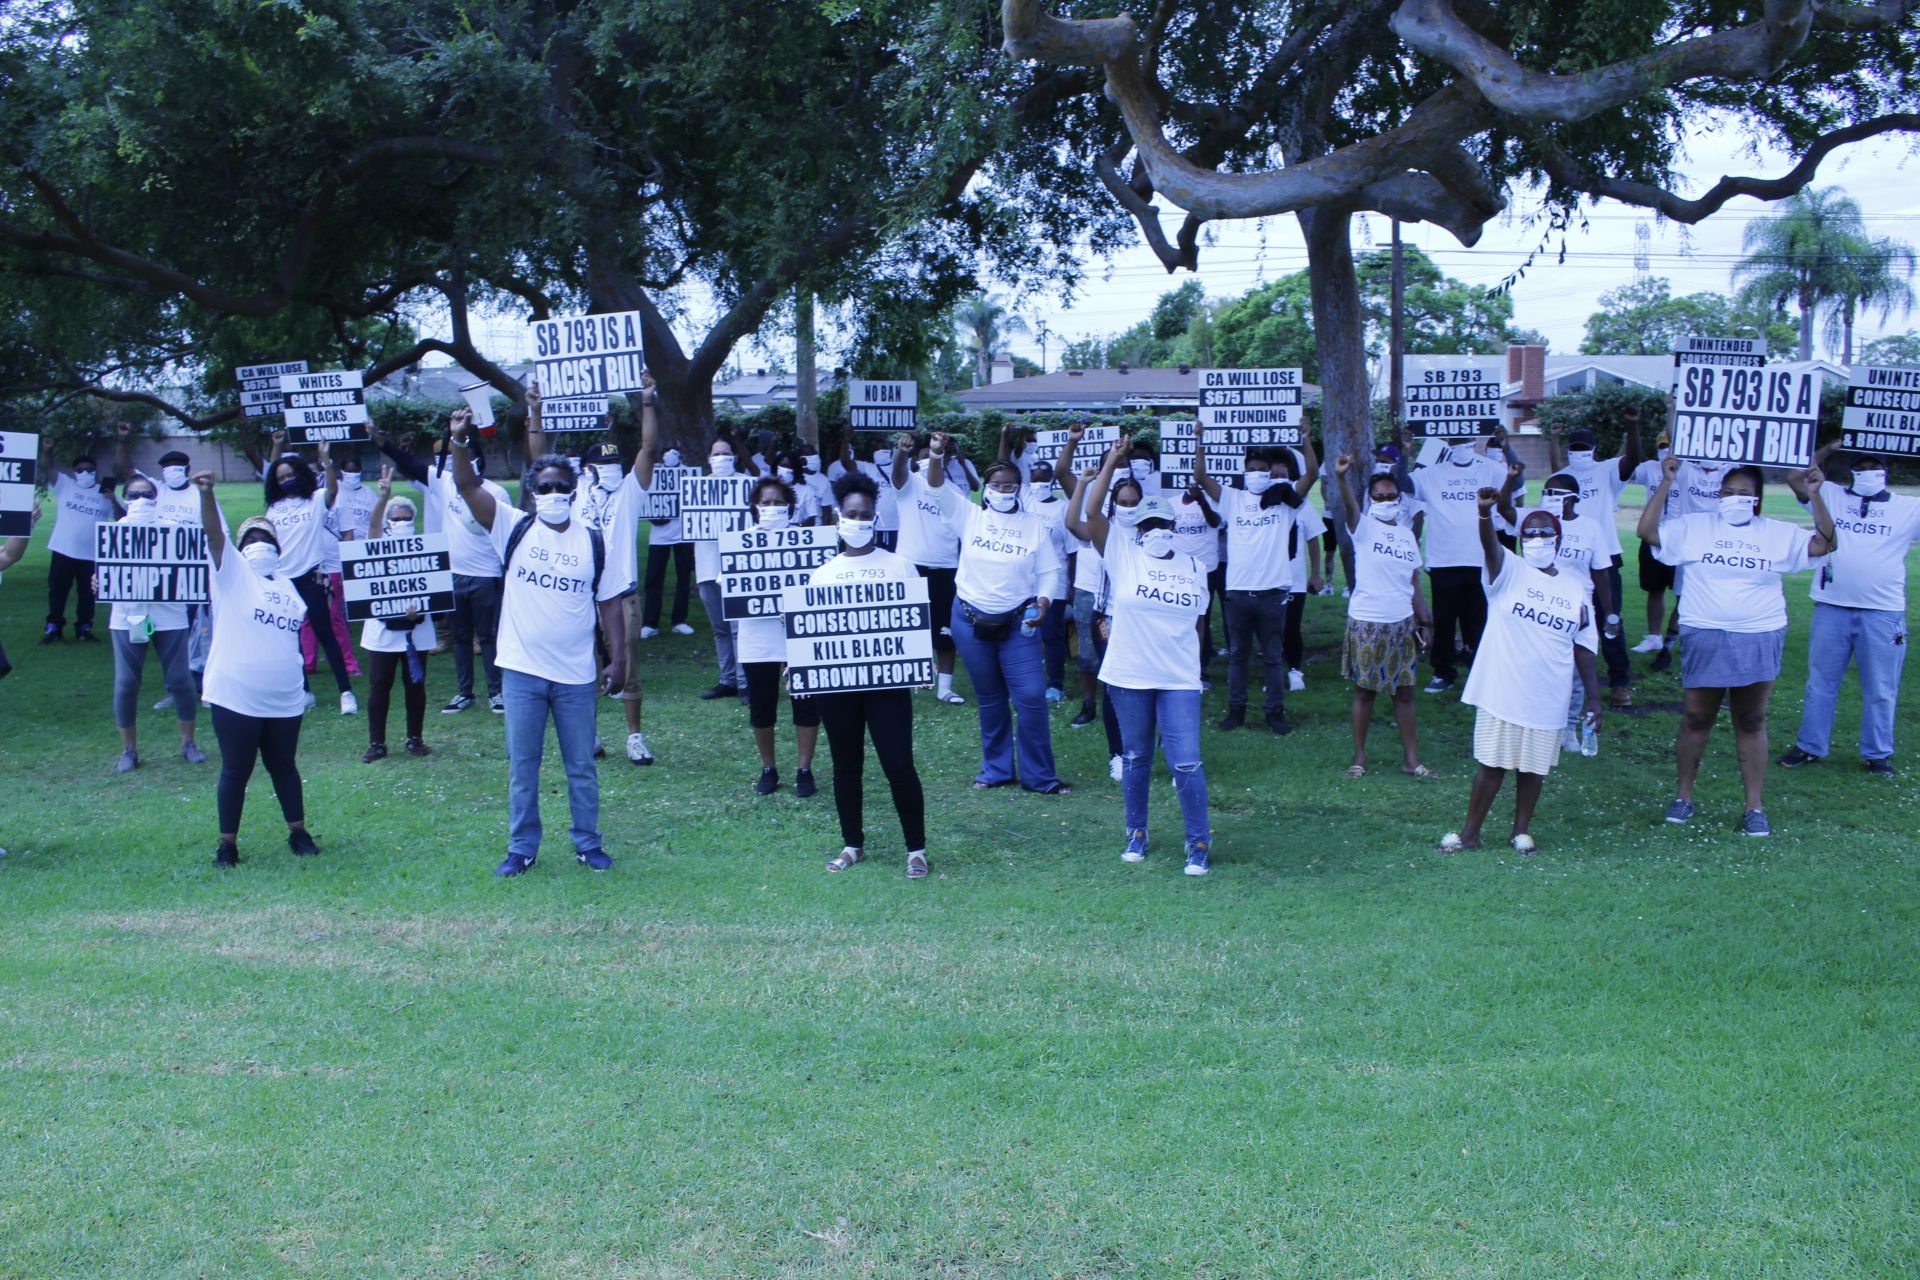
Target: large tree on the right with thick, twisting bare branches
1429 110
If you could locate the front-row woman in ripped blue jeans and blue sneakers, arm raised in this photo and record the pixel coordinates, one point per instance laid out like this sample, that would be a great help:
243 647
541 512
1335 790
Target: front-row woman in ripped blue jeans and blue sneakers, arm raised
1151 669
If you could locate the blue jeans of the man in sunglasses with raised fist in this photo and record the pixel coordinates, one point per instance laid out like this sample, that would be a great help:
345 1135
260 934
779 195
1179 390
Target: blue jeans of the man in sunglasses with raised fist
529 703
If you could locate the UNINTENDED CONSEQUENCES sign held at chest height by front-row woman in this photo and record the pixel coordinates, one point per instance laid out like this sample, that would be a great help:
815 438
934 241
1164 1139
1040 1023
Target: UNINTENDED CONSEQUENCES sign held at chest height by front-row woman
850 636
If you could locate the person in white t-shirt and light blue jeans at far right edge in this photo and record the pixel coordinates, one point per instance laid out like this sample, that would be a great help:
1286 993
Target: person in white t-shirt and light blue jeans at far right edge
1860 613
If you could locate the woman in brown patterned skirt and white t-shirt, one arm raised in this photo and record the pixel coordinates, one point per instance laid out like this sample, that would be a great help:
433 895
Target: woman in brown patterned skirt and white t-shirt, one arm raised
1387 621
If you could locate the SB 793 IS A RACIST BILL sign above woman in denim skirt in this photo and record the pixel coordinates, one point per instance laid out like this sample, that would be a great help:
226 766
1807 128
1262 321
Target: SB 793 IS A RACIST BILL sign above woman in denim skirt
1746 415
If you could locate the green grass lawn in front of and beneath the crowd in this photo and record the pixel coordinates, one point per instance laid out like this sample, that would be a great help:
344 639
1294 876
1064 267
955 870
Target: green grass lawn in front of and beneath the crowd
1646 1053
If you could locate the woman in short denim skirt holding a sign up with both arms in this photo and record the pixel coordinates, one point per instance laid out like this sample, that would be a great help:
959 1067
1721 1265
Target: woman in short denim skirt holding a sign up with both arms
1733 619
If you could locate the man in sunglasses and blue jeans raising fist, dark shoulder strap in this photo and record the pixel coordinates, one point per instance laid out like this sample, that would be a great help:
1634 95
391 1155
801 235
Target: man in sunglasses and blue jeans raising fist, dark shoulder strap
554 590
